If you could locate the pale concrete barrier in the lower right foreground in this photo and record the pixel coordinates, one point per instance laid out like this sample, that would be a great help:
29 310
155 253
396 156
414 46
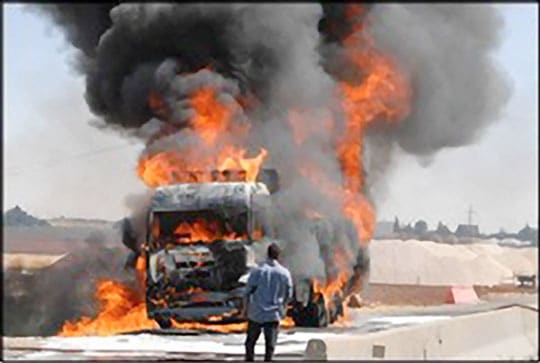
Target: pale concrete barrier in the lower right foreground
510 333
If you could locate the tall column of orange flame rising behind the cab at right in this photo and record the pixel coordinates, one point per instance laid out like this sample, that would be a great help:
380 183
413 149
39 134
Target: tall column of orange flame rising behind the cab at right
383 94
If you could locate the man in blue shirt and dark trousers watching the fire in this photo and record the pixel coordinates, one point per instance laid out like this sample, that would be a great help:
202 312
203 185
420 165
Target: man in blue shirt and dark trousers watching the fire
269 289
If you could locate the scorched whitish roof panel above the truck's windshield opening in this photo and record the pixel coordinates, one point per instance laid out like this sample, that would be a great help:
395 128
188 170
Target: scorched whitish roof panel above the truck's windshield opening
208 196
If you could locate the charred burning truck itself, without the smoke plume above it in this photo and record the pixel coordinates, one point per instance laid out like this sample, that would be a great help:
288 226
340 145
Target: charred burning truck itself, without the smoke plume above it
203 239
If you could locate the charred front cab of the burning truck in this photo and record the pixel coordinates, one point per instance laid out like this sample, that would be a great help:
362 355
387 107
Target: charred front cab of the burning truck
199 249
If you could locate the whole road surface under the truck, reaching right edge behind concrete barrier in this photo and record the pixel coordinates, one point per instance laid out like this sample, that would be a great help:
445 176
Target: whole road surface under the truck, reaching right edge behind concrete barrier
291 343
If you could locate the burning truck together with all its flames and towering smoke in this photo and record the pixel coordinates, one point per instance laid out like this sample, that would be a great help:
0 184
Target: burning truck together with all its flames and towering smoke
330 92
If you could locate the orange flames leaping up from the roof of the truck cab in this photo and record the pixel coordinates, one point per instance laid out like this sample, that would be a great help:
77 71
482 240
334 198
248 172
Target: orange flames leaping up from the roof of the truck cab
213 120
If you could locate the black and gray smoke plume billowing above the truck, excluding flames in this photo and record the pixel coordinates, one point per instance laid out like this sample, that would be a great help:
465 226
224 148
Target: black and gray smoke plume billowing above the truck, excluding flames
284 57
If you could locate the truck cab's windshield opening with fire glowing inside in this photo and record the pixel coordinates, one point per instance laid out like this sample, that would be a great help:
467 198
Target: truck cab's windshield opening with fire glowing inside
197 226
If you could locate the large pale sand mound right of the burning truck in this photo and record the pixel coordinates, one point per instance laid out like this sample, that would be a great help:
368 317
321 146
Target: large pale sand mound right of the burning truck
430 263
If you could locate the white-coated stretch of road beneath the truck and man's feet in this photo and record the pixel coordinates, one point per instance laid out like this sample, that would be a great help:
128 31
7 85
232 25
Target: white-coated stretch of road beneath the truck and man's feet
291 343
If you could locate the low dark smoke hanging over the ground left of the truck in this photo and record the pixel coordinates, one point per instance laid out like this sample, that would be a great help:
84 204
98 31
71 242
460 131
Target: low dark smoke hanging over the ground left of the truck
39 302
